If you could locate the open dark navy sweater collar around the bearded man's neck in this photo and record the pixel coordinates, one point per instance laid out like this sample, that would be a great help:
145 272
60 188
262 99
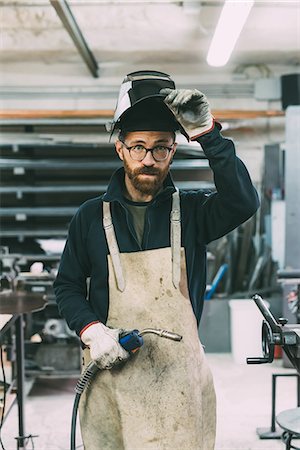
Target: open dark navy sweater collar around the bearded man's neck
116 188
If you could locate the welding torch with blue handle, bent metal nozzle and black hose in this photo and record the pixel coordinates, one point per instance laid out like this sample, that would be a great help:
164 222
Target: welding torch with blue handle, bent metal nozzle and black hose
131 341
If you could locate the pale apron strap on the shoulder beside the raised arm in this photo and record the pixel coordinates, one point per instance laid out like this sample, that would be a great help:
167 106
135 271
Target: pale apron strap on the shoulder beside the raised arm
176 238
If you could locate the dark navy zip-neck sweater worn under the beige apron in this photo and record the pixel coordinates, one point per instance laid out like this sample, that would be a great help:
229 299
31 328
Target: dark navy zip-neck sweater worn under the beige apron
204 218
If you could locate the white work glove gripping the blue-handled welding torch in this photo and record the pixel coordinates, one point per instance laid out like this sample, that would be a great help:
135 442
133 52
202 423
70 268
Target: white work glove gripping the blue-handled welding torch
104 345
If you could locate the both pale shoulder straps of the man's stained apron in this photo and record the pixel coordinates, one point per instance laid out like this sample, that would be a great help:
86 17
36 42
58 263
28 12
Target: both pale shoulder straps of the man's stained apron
175 233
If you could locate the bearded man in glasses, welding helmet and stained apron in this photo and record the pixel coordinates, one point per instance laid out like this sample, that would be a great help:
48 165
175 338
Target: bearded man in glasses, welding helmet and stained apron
143 246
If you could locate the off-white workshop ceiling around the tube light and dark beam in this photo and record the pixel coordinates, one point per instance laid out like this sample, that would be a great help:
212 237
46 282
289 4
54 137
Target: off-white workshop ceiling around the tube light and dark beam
165 35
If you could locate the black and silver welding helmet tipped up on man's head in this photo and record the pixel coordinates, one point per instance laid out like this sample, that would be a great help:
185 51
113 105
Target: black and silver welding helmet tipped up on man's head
140 106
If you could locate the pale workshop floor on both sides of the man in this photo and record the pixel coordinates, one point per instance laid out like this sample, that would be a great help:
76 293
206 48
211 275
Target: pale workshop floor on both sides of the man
244 403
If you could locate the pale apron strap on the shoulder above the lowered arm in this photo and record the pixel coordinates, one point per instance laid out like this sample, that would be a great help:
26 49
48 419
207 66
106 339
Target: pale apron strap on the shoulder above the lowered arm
113 246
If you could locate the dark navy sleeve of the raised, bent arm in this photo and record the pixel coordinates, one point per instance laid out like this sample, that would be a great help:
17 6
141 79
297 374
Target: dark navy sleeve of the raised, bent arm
235 199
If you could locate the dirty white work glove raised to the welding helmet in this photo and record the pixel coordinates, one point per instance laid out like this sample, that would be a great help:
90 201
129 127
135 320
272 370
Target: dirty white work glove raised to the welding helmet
191 109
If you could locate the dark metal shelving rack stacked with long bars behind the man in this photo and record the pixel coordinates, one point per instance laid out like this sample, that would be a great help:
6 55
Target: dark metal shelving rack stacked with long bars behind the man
49 167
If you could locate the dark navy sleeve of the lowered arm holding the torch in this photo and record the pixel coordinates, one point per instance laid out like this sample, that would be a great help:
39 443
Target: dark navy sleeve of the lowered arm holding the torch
70 285
